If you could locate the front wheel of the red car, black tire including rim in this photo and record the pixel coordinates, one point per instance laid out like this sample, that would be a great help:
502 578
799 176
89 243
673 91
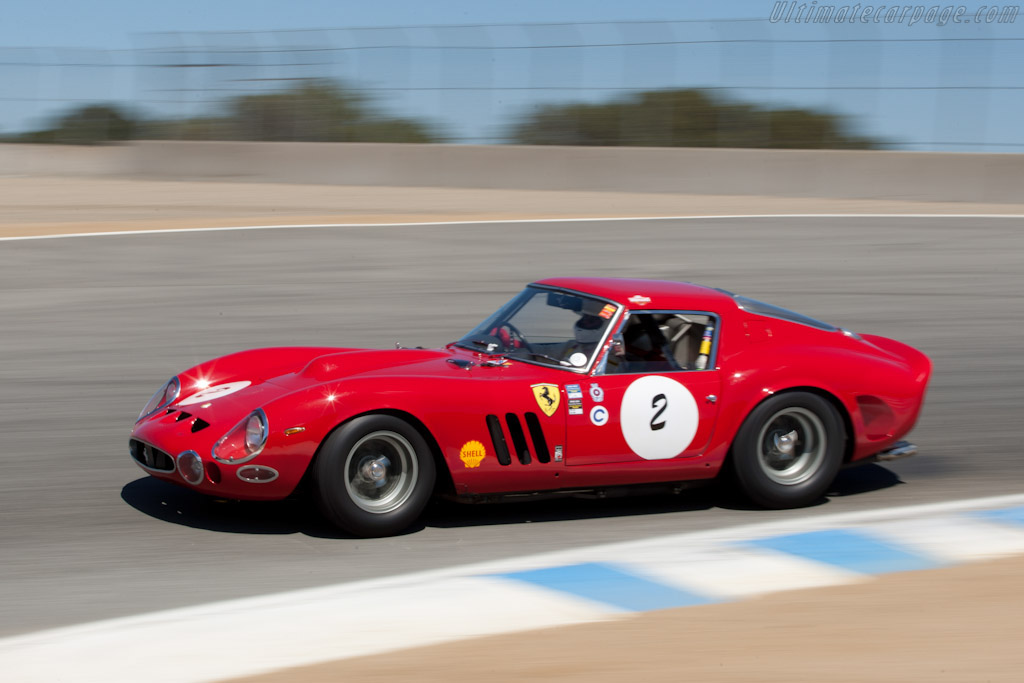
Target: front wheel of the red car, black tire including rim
374 476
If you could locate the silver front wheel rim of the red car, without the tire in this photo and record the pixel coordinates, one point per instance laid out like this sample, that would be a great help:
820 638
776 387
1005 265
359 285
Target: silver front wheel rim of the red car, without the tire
381 473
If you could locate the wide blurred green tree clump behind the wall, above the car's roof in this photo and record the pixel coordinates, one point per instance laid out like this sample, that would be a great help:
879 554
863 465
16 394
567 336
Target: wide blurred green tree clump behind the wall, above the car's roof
685 118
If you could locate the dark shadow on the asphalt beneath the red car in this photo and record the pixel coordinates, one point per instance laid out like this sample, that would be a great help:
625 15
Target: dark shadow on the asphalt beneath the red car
298 516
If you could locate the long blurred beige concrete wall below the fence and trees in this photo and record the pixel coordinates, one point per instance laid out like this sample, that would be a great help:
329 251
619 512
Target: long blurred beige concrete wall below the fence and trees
897 176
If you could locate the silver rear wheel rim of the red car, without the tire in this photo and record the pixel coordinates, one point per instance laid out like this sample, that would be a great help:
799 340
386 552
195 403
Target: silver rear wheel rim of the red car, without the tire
792 446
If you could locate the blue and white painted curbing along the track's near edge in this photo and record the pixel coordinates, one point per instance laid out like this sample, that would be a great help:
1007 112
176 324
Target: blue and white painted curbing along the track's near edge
258 635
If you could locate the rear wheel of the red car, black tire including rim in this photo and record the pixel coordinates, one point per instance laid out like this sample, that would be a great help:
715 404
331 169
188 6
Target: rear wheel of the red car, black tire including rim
789 450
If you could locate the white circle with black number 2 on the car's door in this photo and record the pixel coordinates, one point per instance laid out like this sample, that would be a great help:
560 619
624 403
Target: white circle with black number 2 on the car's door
659 417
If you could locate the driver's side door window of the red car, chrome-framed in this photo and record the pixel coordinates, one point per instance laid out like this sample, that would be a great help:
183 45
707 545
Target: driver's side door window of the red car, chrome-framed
663 344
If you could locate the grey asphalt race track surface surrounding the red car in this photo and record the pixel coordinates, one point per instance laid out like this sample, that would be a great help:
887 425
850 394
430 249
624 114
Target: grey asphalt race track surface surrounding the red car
90 327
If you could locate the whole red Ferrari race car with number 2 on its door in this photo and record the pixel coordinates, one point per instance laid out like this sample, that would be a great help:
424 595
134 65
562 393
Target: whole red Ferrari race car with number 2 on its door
576 385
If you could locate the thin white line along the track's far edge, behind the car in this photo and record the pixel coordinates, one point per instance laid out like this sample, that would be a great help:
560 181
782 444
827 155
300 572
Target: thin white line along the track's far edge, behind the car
599 220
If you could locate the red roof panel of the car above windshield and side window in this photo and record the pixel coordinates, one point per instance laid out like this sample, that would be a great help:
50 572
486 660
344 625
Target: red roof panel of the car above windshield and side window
663 294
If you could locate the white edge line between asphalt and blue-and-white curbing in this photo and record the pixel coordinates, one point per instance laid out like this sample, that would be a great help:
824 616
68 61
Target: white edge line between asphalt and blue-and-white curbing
492 567
